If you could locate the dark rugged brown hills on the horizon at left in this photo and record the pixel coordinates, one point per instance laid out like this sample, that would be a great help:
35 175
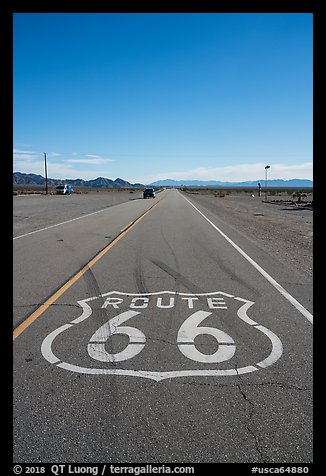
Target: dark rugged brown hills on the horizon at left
20 178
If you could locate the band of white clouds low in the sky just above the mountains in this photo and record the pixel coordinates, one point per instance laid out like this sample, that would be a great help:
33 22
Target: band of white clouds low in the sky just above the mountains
89 166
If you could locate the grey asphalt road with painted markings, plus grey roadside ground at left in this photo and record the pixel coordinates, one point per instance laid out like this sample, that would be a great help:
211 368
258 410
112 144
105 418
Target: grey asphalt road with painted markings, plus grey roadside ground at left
150 331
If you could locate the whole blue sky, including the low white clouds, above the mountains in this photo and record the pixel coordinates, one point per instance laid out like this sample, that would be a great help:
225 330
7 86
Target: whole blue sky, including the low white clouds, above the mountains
148 96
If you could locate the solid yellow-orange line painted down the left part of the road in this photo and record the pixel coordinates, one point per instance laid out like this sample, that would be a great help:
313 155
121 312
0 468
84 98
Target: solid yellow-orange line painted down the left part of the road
43 307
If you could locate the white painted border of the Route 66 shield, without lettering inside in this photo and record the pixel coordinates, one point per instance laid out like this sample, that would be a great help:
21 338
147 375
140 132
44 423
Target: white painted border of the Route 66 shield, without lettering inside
277 347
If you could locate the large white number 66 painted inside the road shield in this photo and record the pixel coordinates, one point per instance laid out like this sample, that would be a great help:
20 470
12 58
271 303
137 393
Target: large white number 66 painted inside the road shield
188 331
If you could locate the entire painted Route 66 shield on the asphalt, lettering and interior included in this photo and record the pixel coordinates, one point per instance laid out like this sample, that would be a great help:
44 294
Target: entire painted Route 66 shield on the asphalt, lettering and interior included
163 335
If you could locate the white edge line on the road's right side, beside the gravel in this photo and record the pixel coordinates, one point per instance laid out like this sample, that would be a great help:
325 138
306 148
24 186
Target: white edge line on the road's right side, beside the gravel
269 278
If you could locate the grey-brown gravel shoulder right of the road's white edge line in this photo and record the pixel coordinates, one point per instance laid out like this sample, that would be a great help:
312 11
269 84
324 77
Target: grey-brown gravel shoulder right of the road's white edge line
282 229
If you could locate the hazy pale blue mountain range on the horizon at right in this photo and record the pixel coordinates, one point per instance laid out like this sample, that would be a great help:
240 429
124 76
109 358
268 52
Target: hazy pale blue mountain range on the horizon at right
213 183
